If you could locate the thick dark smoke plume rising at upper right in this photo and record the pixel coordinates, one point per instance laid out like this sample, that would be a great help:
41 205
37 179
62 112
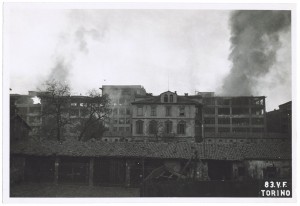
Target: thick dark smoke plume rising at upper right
255 40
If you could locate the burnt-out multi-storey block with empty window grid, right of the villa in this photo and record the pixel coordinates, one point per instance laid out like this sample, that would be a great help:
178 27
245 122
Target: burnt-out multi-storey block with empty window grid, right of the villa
228 117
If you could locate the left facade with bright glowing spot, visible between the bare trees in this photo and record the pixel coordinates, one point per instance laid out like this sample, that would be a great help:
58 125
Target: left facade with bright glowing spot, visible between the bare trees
33 110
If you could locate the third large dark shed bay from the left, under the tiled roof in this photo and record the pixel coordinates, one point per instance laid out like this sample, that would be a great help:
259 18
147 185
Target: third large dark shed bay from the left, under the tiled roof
109 171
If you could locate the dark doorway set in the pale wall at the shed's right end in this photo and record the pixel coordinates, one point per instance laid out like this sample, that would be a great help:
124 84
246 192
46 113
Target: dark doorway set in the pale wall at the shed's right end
219 169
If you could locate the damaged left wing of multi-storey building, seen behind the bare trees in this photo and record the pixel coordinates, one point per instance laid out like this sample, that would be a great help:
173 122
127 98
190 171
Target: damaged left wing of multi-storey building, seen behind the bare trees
38 111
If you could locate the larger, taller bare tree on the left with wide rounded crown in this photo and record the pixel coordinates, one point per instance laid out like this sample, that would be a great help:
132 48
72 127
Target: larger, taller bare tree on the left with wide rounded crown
55 97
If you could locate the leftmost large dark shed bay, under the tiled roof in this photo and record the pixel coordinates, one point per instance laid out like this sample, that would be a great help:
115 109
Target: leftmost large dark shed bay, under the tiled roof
39 169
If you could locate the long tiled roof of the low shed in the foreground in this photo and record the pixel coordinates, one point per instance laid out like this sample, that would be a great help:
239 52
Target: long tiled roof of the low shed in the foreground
182 150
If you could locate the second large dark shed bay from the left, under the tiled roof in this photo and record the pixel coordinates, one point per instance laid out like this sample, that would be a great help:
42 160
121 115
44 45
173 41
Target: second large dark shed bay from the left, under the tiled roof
73 170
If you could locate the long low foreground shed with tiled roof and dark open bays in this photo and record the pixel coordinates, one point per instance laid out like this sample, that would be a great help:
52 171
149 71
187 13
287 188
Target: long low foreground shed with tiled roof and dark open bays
128 163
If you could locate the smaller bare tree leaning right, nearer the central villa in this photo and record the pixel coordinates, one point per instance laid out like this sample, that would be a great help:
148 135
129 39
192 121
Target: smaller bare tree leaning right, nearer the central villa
96 111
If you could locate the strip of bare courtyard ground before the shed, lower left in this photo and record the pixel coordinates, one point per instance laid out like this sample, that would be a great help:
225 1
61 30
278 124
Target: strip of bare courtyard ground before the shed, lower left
64 190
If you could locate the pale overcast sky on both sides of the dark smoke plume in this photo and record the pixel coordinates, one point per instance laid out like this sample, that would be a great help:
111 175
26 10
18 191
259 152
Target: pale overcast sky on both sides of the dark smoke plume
179 50
